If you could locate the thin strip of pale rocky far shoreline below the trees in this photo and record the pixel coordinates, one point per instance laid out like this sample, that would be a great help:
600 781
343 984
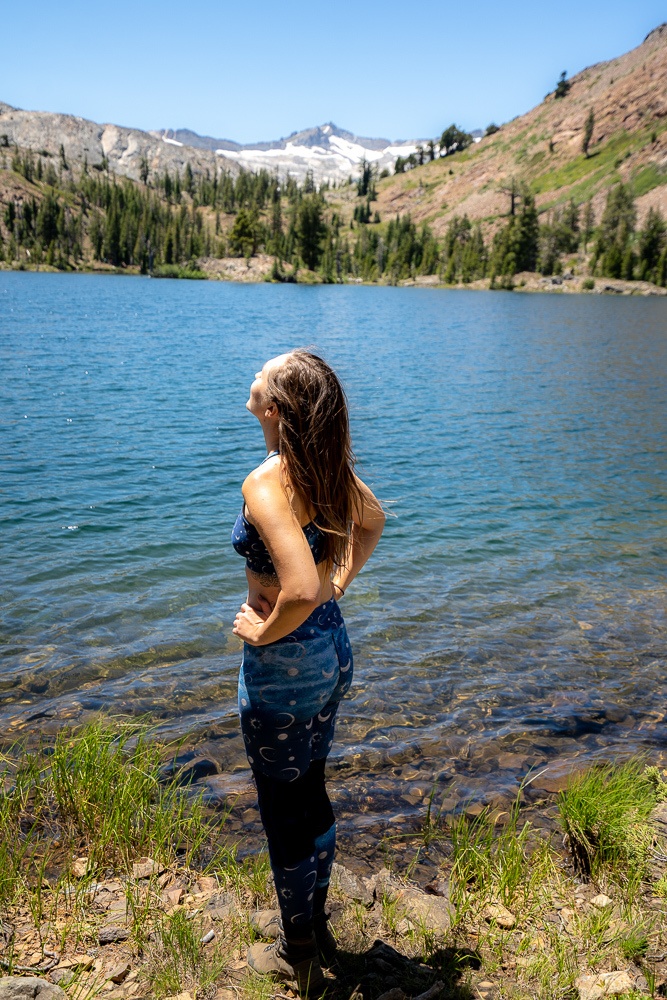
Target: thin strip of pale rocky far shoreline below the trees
235 270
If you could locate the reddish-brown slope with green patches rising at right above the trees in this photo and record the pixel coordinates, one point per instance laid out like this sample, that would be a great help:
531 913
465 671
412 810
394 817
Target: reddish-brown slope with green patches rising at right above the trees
628 96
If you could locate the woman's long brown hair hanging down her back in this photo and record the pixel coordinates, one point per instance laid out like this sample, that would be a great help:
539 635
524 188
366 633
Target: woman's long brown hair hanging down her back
315 446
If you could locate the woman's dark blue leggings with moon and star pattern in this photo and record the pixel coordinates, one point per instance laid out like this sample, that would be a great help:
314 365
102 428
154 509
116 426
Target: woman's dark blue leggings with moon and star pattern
288 698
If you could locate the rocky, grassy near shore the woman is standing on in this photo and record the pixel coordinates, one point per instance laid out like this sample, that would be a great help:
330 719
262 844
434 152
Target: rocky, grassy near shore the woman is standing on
116 880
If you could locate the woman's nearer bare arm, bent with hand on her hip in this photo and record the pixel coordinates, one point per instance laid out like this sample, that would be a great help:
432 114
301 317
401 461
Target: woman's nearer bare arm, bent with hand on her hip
290 553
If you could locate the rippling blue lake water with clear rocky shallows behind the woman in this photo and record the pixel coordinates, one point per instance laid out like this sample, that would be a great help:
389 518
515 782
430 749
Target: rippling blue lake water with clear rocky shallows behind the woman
513 615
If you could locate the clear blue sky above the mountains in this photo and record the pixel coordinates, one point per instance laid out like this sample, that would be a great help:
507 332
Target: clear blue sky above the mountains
259 70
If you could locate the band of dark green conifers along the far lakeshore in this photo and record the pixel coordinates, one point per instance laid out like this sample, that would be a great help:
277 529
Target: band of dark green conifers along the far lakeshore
170 221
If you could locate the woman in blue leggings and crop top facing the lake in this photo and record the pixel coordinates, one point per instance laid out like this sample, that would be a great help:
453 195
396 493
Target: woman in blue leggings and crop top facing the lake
307 526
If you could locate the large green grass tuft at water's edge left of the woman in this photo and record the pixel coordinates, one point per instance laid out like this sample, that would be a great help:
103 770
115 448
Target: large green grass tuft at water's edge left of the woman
96 792
